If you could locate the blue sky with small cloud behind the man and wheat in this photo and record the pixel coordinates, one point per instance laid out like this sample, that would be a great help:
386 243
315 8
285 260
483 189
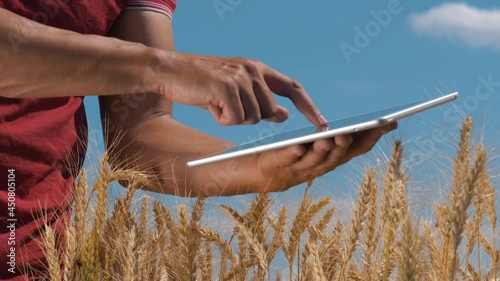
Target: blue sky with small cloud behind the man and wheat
426 49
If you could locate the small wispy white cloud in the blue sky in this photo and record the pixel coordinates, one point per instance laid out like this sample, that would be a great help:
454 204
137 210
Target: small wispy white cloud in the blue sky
473 26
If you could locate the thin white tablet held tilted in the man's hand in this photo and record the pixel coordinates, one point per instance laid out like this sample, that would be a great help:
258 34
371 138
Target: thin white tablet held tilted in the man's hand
339 127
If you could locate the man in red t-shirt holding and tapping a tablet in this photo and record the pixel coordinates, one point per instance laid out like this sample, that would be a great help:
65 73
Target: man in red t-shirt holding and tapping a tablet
47 67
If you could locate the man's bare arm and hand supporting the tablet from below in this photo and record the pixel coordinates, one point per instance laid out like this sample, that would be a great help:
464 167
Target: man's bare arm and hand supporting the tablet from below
143 134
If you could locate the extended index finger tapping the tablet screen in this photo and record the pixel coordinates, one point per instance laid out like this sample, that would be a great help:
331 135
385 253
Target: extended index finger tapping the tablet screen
287 87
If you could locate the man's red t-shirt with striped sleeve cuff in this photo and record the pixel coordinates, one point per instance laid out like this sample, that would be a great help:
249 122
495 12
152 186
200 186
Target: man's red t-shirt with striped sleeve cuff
43 141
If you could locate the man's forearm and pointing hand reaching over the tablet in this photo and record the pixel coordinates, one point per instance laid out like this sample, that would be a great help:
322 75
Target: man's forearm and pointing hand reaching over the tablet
38 61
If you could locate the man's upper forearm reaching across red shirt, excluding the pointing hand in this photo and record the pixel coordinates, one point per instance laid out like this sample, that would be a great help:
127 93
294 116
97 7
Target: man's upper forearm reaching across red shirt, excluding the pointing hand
37 61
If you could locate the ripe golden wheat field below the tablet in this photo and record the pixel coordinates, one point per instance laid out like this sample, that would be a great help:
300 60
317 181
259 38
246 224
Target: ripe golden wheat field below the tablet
381 240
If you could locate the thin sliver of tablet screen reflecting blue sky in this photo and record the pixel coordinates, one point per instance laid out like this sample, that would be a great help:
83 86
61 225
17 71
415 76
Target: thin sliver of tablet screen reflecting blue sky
310 130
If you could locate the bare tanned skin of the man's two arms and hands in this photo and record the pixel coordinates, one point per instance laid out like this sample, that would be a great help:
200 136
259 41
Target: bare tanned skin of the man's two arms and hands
137 76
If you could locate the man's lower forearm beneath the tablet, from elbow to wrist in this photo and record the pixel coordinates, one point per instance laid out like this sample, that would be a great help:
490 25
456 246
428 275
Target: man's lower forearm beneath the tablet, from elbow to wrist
162 146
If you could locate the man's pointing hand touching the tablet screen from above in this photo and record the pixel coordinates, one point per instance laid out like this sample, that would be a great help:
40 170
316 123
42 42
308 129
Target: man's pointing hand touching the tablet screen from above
234 90
